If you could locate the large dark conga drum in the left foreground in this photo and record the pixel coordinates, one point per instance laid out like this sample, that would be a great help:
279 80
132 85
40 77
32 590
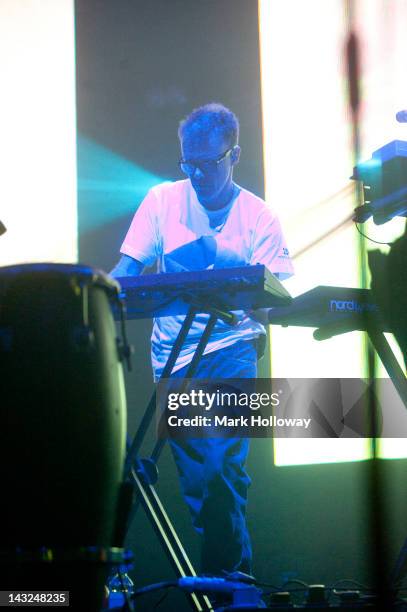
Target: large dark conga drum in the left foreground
63 421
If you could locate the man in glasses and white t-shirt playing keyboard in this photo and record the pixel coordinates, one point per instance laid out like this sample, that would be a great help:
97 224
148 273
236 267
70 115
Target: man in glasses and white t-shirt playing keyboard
207 221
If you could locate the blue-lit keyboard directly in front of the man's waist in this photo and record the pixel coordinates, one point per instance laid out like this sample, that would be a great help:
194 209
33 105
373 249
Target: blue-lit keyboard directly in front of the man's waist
161 295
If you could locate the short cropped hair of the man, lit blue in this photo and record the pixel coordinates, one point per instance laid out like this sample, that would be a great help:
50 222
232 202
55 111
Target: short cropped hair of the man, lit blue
212 117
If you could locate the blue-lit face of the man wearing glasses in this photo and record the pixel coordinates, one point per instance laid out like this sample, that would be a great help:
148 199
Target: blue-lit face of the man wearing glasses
212 182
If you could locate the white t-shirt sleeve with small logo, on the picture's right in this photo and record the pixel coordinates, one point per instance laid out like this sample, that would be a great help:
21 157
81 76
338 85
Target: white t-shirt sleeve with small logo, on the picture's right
269 246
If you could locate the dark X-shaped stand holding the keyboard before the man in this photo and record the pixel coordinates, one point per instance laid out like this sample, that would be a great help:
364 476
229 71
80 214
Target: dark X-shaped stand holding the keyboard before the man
143 473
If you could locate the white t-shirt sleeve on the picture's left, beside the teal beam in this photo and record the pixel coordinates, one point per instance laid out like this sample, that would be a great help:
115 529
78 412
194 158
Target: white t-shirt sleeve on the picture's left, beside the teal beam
142 241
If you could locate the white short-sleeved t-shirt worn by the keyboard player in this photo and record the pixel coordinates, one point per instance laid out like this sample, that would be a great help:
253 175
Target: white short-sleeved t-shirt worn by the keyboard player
171 226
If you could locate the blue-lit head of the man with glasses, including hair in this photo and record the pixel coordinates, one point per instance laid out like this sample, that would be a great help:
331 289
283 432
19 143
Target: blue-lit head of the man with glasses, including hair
209 148
